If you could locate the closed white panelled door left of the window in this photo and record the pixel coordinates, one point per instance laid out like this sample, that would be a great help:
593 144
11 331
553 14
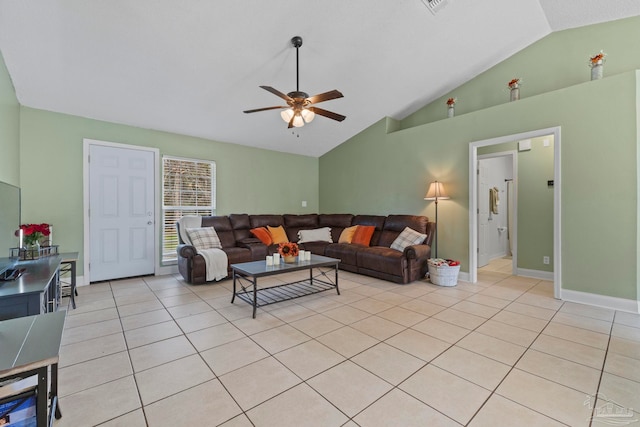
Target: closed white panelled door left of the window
121 212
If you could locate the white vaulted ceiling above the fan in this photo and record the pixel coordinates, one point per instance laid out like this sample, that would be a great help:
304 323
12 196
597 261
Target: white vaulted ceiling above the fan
192 66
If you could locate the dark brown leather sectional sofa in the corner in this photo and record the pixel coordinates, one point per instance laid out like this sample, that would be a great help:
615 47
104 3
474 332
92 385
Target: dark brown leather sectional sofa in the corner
376 260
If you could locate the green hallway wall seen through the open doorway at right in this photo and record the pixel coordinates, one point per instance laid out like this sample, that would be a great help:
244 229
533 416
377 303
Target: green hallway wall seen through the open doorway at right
535 201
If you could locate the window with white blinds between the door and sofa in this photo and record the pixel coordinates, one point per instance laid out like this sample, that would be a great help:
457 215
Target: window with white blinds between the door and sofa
188 188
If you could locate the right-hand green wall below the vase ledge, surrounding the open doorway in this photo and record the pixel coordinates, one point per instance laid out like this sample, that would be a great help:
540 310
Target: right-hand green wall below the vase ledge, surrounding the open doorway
382 172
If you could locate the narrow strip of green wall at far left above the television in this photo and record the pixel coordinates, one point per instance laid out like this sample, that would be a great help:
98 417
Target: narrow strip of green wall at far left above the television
9 129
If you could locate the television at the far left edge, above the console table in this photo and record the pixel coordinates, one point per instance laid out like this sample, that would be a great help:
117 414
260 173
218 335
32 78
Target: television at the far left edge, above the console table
9 223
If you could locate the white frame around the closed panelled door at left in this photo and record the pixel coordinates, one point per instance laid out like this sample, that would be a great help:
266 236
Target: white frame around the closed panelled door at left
86 143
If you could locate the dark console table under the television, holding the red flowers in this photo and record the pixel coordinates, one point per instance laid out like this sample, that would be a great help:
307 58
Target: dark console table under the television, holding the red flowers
36 291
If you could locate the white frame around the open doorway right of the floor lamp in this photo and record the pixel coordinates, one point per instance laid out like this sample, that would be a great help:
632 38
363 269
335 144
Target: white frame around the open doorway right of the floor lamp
473 200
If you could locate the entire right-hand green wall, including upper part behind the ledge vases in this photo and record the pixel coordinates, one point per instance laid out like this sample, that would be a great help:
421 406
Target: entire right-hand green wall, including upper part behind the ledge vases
386 168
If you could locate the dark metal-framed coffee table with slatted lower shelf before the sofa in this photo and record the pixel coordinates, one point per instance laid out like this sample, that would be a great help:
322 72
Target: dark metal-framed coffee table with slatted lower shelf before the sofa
246 274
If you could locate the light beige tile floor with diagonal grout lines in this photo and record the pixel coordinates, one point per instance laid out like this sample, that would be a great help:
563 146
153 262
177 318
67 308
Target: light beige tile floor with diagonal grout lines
154 351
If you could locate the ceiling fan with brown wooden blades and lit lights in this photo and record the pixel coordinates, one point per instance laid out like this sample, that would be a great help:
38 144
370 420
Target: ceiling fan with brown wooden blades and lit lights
300 107
